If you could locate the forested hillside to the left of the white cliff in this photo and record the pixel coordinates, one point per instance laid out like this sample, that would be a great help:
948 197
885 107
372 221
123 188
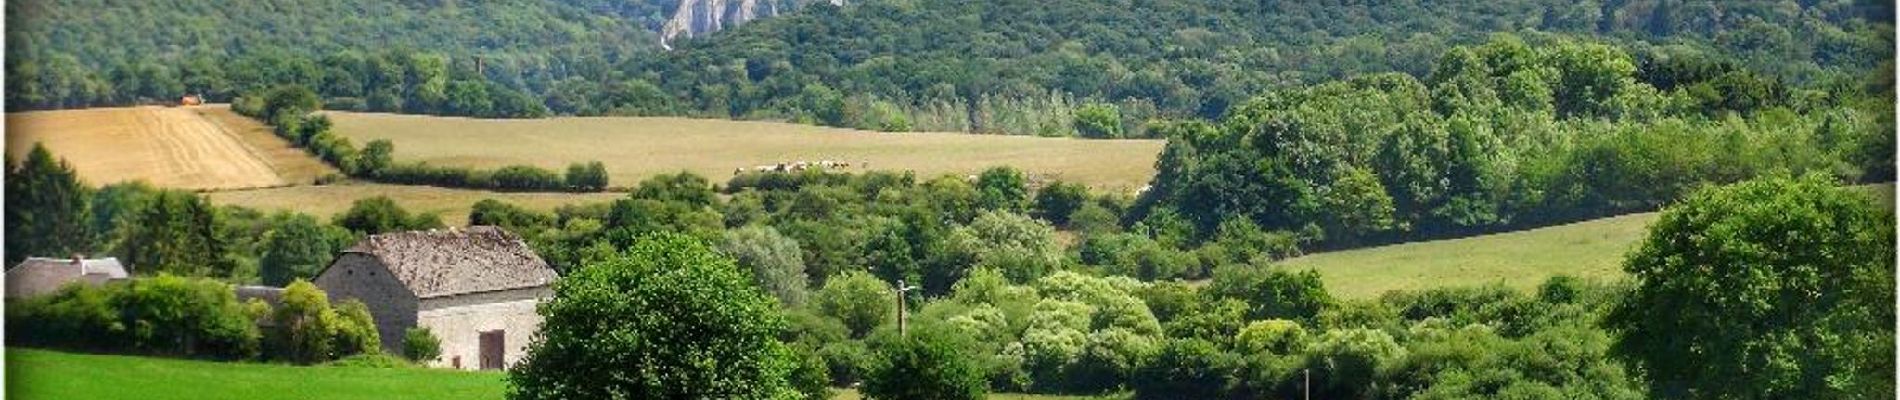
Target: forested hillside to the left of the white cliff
67 54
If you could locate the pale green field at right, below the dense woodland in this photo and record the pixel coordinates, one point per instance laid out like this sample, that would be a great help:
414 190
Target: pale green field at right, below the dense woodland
1525 259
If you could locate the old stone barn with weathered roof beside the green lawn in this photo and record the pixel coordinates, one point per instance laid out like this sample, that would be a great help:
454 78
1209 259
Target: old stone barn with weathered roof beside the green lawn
476 289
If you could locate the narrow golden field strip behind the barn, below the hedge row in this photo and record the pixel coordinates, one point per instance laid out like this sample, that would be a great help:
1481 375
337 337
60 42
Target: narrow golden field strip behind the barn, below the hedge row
453 206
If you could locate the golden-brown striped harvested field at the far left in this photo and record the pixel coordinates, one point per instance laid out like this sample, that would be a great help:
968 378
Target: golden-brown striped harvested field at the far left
187 147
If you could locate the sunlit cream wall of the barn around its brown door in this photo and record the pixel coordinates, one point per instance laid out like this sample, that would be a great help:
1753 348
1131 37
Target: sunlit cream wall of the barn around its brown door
461 319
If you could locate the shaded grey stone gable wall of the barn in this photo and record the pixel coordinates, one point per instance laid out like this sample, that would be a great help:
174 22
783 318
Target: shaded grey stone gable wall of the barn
364 278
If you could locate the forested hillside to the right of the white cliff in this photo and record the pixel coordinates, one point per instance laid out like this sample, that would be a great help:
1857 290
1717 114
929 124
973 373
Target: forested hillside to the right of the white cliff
1025 65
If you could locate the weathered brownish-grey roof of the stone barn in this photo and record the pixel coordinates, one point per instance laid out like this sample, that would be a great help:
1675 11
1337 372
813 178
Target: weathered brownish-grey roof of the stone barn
447 263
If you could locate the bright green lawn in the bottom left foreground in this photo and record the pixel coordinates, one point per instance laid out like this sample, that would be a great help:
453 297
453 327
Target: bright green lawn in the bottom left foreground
48 374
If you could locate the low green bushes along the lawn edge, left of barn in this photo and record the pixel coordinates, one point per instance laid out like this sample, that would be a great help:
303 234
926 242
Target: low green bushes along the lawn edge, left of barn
193 318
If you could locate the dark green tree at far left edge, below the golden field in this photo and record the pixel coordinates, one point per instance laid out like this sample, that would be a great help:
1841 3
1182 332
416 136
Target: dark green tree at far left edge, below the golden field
45 208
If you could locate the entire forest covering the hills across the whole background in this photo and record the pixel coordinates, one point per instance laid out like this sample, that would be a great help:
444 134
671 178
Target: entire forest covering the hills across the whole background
896 65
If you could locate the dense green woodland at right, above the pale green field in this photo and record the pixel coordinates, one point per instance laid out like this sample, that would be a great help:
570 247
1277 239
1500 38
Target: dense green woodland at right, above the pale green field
1504 136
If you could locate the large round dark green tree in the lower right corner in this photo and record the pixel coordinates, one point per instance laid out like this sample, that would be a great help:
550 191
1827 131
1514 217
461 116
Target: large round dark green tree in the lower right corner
1768 289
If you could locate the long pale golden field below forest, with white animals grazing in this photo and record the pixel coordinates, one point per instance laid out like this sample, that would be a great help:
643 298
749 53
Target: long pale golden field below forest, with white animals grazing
636 149
